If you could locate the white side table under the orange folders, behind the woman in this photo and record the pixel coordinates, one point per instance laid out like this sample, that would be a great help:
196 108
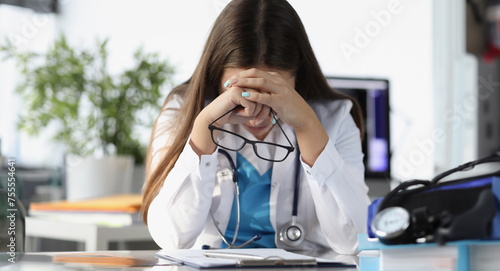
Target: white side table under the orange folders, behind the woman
94 237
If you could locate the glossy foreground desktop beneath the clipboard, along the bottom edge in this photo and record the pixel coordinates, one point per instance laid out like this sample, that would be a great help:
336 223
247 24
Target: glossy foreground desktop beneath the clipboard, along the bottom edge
43 261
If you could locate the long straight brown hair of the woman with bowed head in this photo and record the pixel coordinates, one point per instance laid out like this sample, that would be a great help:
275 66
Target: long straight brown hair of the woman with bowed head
247 33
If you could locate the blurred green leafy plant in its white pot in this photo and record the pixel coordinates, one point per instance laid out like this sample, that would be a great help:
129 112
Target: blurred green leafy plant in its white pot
93 112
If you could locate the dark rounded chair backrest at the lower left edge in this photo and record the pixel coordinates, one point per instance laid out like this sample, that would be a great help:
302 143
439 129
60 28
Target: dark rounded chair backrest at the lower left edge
12 223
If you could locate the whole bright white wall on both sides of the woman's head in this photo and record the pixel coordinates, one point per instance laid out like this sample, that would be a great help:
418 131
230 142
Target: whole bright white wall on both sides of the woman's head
397 47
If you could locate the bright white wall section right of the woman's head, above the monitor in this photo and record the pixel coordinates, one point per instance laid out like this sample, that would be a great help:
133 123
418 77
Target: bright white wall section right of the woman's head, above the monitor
382 38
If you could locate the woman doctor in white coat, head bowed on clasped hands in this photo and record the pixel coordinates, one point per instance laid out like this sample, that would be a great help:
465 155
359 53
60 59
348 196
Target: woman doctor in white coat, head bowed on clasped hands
255 149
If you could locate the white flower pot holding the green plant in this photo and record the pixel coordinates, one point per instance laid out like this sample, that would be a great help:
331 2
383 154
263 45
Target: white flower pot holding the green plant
90 177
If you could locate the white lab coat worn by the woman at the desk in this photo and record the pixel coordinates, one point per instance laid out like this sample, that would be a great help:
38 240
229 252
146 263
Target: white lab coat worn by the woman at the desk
333 196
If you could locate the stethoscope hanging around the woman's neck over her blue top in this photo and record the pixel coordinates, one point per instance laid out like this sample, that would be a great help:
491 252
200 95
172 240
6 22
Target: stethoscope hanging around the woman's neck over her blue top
291 234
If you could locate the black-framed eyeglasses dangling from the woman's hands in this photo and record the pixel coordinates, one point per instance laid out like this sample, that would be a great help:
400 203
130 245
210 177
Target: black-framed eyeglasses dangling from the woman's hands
264 150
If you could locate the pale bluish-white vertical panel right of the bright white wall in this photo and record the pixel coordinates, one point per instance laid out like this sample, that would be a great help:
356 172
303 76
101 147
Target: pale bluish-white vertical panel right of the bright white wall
456 85
